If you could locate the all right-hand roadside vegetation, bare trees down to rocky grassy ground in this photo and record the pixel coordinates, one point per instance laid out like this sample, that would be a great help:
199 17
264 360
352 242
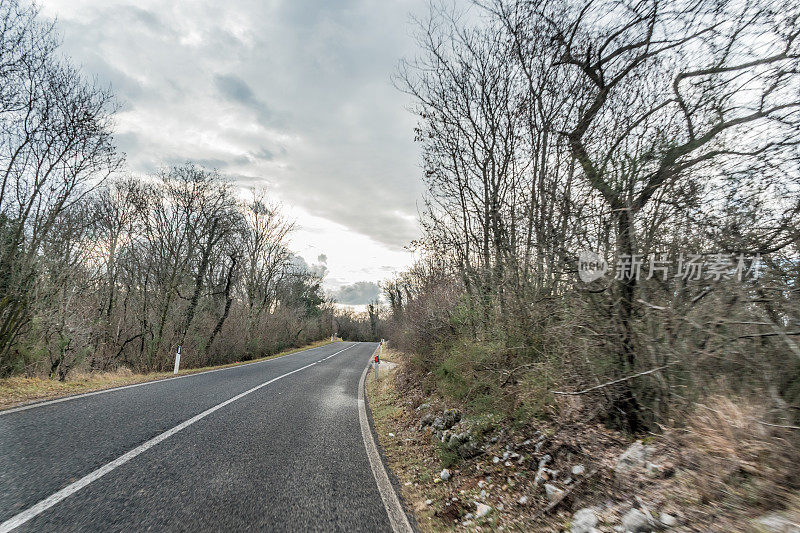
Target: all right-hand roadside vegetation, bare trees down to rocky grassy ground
663 138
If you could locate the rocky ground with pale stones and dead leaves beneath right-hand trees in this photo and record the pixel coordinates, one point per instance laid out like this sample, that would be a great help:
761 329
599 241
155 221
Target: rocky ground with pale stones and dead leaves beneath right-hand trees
462 472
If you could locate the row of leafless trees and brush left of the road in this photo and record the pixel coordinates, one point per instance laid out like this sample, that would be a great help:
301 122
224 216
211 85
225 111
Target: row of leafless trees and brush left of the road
103 273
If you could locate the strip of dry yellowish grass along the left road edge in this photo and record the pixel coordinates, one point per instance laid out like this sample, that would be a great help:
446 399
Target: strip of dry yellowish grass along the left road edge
19 390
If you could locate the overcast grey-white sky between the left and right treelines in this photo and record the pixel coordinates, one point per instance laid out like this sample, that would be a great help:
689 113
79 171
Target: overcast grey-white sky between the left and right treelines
294 95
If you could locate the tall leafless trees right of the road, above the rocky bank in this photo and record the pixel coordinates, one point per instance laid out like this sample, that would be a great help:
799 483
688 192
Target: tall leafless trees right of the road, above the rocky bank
642 129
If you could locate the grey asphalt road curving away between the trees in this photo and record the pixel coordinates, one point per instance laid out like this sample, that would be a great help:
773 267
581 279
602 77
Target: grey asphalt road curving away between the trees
288 456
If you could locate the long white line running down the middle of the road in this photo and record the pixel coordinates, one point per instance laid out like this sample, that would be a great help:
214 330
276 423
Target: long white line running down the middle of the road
72 488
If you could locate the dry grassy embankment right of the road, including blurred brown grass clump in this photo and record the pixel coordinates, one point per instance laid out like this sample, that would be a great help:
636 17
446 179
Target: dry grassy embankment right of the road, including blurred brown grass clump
721 471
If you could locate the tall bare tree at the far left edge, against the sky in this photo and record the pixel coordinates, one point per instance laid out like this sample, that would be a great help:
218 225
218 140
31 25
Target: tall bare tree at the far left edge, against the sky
55 145
